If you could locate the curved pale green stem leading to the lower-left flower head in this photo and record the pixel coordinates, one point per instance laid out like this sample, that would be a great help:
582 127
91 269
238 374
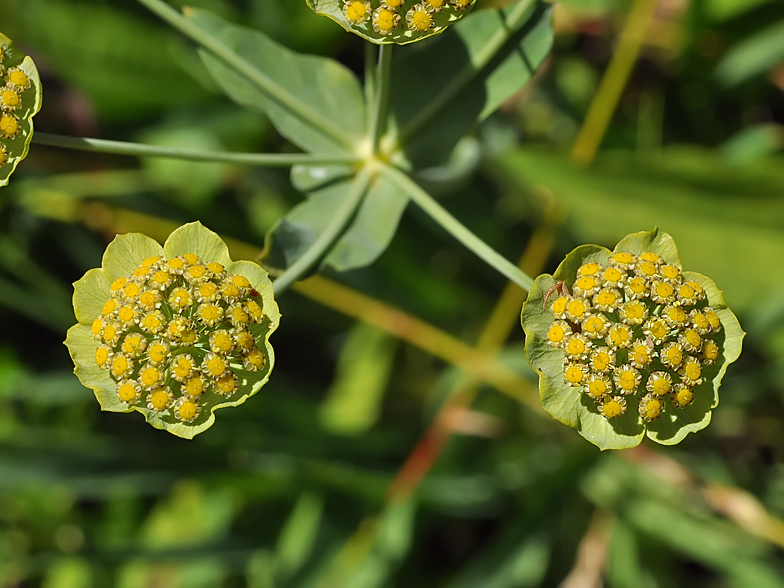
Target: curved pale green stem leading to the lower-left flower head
332 232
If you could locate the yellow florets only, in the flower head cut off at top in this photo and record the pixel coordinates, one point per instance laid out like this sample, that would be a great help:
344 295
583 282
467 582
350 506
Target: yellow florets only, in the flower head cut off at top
386 17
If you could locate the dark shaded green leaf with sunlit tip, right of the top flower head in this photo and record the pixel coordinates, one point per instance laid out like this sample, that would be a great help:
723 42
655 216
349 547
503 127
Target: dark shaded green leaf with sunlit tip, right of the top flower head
439 92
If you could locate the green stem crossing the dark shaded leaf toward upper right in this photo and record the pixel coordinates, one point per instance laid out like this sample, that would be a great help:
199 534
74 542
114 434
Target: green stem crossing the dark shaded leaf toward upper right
516 17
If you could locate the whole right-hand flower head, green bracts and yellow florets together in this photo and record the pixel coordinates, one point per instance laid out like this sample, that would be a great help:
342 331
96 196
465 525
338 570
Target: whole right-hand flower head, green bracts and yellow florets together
625 341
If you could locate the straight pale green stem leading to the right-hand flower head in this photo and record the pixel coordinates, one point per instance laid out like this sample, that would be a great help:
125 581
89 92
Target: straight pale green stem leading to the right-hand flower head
455 228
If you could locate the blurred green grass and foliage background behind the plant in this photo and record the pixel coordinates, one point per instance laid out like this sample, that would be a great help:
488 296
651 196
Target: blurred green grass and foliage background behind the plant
292 489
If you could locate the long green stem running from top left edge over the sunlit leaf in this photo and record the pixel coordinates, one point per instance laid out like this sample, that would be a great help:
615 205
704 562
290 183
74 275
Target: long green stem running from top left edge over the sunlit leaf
267 85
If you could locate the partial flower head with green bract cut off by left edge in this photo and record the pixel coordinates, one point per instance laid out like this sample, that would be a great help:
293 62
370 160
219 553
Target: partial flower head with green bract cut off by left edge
20 99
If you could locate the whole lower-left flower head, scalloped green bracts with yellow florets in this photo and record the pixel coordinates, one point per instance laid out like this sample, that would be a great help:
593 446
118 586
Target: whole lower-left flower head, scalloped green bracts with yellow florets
174 332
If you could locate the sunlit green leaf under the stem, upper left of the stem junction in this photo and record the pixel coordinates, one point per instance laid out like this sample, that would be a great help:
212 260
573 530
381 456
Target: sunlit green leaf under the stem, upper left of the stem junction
313 101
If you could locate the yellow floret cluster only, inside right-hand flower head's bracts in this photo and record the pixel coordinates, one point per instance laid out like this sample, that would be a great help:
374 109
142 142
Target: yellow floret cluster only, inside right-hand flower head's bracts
634 326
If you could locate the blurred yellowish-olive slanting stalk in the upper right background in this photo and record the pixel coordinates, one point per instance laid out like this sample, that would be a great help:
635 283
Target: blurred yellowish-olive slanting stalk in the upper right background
616 76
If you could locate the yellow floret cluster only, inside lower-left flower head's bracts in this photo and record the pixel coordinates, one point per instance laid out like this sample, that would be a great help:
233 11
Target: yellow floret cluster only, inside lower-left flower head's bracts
175 332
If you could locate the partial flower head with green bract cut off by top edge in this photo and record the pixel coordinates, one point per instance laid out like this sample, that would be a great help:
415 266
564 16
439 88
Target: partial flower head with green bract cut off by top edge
393 21
